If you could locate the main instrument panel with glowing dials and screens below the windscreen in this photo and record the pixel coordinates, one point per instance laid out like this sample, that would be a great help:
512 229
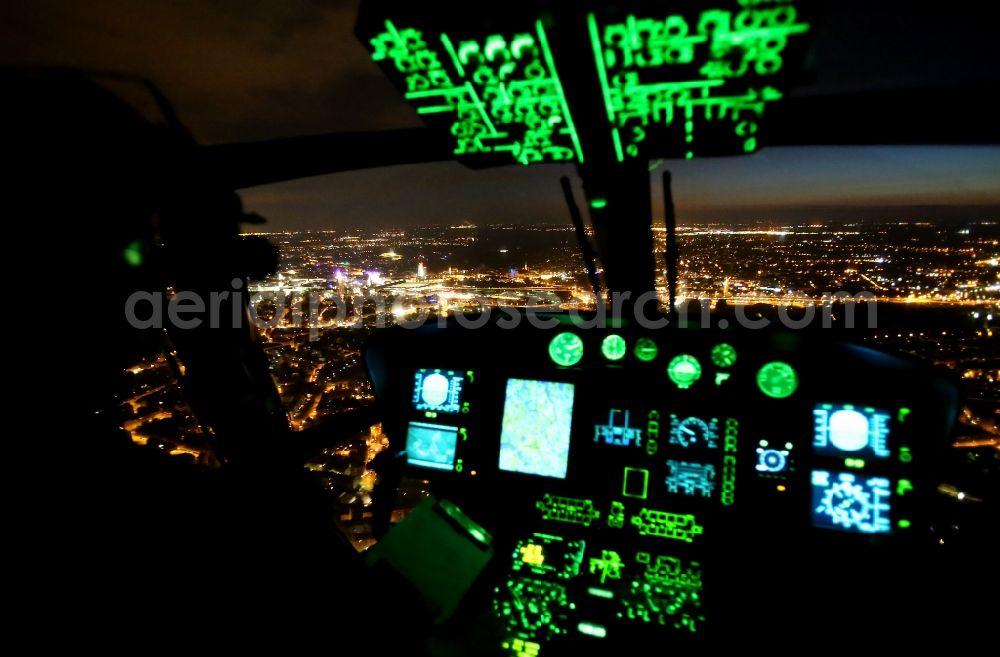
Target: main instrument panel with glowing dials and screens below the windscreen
676 484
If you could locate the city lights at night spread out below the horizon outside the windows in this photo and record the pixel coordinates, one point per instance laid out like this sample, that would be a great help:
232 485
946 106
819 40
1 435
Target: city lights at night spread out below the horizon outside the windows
936 286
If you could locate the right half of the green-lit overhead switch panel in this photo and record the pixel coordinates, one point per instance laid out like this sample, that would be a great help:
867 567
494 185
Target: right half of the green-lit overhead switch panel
672 78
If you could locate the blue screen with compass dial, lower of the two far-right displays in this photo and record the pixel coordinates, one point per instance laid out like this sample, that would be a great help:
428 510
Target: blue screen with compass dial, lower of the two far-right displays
850 502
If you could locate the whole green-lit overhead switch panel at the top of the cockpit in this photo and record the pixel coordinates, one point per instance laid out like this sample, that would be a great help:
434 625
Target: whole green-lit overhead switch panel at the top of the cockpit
533 83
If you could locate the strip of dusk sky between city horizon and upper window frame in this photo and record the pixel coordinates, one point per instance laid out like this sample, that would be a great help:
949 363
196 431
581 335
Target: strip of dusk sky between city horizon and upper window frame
800 184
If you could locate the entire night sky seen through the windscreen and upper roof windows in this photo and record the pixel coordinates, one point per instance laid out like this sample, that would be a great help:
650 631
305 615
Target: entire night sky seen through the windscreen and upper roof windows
241 70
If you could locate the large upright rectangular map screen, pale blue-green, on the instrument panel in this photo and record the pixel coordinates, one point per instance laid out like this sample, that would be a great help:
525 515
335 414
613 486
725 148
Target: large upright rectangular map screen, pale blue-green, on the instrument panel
534 436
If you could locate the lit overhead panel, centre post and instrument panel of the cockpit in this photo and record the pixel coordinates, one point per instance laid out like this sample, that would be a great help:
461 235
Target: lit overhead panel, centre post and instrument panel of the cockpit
609 472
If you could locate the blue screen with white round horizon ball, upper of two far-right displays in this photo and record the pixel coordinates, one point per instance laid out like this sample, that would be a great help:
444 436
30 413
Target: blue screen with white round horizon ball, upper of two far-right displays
848 430
